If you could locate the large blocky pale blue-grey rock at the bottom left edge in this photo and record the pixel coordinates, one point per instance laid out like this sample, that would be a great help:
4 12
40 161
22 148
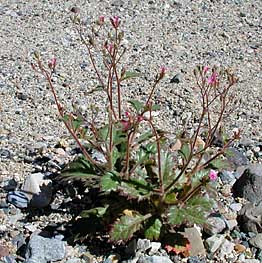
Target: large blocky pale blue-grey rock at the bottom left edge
43 250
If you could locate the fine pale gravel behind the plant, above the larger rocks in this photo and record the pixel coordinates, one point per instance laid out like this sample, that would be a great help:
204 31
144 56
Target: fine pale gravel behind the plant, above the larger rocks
178 34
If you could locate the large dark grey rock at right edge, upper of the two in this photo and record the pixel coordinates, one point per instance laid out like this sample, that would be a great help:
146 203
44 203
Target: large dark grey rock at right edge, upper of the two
249 184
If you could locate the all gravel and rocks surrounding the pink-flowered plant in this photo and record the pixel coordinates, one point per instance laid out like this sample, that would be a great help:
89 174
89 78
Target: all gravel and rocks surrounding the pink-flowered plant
34 145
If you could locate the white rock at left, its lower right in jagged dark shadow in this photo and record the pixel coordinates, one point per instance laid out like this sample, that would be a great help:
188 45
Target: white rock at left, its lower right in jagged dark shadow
39 189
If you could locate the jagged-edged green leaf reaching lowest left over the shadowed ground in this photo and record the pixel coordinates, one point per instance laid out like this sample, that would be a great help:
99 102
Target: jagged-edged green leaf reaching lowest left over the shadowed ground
124 228
